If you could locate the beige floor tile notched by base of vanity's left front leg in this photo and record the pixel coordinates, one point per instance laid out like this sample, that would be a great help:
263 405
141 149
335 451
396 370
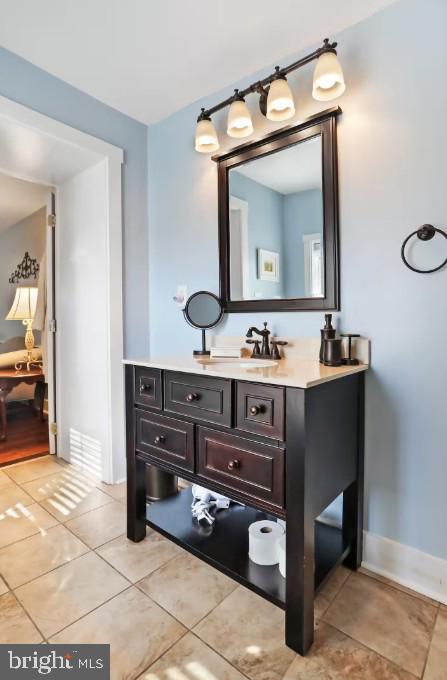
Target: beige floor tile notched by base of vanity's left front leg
136 560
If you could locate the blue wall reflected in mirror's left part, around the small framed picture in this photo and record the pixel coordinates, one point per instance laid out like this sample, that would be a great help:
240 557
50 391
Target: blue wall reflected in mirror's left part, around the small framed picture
265 230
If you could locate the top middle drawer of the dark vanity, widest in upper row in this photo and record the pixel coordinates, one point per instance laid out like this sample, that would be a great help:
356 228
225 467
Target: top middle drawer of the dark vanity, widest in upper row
201 398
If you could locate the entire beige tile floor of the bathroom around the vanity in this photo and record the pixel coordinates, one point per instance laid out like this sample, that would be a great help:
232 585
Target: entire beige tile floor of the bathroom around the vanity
68 574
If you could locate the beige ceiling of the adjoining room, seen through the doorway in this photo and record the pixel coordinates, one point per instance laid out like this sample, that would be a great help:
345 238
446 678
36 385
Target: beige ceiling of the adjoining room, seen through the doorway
18 199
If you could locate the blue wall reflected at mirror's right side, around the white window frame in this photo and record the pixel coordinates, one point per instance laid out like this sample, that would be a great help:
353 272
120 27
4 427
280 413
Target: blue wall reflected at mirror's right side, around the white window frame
303 214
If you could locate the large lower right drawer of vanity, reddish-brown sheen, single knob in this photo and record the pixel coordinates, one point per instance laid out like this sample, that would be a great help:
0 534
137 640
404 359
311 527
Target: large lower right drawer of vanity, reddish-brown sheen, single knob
256 470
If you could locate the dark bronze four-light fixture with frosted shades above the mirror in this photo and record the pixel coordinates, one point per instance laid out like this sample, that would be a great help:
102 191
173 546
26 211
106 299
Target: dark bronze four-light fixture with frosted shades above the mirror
275 97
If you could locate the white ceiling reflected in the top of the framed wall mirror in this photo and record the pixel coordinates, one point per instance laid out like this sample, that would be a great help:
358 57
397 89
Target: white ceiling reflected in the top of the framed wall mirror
288 170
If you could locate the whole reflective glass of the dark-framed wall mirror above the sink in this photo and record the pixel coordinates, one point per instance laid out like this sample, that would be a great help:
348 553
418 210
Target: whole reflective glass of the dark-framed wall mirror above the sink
276 225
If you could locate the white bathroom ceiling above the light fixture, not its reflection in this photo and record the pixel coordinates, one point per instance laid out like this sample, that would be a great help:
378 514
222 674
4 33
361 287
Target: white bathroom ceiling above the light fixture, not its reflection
149 59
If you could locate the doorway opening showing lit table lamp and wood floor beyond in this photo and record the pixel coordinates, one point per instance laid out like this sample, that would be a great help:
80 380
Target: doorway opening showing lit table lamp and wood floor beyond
23 375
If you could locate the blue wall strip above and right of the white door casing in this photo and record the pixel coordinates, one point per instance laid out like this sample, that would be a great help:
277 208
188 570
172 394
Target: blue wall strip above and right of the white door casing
28 85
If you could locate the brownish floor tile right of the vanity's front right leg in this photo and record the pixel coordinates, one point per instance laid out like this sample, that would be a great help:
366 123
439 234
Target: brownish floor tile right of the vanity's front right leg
390 622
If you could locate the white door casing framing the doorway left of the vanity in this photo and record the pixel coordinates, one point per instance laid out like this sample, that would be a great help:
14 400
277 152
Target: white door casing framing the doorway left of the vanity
114 158
